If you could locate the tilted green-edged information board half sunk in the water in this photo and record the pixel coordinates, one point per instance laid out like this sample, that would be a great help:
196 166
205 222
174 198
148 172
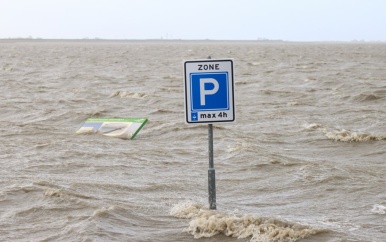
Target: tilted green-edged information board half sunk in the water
125 128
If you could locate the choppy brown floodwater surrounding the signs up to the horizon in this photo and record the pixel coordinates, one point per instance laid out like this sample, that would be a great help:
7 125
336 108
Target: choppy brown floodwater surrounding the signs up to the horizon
304 161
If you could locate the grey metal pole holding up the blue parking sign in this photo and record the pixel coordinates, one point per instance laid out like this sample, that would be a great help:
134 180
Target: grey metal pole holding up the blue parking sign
211 171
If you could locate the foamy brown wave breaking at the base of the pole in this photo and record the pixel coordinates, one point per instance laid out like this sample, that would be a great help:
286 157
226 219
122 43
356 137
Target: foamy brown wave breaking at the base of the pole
208 223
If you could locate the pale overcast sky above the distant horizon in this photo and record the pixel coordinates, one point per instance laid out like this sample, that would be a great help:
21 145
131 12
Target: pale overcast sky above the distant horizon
292 20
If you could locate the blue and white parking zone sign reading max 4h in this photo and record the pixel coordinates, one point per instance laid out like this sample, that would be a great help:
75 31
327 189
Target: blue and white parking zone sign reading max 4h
209 91
